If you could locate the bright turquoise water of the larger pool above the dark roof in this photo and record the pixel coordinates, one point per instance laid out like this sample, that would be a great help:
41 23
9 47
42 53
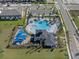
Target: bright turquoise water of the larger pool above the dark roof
40 25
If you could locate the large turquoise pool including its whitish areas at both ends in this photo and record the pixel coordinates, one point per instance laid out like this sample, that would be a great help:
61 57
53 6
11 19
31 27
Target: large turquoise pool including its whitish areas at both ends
41 25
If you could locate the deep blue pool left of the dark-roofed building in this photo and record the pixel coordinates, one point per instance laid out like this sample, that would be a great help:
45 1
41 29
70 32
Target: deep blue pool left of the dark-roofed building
21 36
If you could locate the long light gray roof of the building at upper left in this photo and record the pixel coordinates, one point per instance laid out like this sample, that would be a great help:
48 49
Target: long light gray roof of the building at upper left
9 12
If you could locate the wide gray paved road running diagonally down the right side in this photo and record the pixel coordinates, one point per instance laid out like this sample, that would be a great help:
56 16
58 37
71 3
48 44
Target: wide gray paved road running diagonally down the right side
70 28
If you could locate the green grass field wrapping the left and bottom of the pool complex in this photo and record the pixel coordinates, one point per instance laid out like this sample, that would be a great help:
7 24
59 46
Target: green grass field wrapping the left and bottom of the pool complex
5 30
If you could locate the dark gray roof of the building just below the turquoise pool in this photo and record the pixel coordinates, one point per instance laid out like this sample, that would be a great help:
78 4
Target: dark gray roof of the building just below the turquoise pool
50 39
